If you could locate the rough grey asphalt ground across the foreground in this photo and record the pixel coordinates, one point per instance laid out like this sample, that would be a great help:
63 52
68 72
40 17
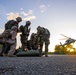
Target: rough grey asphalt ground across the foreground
52 65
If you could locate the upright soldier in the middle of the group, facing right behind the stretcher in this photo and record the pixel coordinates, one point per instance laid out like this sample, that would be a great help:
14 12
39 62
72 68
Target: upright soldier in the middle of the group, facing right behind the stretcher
25 33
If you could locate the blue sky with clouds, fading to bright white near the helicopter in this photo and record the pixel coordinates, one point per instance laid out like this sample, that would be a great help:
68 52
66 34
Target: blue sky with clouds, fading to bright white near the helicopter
59 16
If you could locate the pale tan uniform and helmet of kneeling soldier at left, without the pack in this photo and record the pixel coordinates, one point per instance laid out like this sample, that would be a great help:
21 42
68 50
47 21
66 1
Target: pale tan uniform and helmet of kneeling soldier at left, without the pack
12 41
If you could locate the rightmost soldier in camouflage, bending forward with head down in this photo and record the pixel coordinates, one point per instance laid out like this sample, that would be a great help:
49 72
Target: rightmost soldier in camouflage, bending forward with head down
43 38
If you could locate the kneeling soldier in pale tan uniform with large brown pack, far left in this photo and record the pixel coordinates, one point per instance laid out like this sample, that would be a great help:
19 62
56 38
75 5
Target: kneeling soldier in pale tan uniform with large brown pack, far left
9 41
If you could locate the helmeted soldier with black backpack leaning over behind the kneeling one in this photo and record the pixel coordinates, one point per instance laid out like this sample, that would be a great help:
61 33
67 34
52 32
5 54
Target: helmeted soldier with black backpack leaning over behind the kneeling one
11 23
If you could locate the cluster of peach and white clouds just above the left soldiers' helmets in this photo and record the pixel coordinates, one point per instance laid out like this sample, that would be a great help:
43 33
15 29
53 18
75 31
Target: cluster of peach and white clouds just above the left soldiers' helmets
25 15
